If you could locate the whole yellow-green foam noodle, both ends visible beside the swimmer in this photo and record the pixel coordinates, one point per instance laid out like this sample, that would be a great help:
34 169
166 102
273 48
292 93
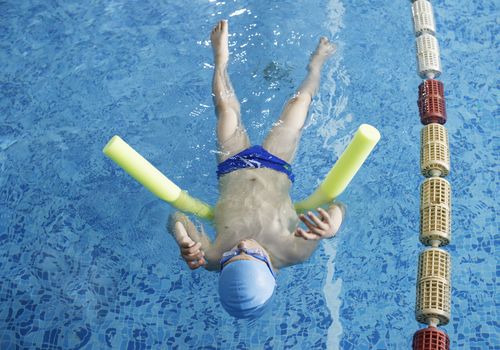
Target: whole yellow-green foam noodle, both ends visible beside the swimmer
332 186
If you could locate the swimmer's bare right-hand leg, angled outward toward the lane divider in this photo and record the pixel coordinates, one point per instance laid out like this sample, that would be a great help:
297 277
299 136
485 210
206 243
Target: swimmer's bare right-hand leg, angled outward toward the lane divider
284 137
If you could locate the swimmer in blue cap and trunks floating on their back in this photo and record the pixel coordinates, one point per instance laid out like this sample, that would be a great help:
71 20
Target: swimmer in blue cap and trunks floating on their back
257 227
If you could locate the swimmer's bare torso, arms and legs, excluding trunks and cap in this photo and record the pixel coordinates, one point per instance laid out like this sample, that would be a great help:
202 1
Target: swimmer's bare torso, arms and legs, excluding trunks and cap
254 208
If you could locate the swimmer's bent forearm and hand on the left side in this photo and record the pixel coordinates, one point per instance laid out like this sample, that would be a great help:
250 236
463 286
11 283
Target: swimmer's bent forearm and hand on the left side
195 245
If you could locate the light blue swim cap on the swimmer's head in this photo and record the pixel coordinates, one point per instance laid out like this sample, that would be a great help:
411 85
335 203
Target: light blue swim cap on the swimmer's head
245 288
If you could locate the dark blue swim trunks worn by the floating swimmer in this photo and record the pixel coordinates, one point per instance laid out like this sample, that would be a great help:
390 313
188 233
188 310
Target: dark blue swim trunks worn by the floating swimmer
254 157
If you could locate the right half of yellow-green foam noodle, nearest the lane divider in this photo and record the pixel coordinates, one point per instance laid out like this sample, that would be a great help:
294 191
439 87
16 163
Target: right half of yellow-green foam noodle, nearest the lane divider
344 169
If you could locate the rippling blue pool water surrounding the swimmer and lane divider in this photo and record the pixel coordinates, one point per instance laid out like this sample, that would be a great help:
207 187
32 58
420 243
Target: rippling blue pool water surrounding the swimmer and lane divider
86 262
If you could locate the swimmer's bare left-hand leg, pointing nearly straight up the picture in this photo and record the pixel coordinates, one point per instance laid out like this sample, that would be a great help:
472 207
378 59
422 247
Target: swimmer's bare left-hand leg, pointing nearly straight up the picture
231 134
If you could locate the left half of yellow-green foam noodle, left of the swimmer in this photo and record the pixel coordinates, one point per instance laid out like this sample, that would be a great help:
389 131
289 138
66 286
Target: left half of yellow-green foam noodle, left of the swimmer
151 178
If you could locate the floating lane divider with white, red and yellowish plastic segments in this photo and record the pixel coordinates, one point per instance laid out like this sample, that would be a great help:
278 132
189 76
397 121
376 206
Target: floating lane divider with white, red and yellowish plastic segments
433 295
